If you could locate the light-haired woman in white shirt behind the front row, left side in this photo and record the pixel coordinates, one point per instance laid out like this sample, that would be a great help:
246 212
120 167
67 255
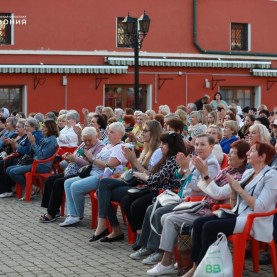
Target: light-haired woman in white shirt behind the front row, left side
68 137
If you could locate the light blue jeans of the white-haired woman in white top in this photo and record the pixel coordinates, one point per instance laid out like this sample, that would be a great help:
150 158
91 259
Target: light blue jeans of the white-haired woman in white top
75 189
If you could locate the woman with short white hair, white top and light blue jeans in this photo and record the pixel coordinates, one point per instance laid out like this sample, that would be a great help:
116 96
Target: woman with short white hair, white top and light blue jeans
76 188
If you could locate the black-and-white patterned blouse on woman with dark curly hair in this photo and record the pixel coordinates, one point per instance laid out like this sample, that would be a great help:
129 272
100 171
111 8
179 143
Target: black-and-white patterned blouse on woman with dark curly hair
164 177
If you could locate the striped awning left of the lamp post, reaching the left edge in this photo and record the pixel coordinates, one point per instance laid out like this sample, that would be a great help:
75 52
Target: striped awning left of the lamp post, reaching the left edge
63 69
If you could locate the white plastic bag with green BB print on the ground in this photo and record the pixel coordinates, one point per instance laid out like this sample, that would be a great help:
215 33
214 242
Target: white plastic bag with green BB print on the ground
218 260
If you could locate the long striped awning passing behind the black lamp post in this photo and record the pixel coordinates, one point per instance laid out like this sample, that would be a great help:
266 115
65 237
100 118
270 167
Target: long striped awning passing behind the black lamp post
189 63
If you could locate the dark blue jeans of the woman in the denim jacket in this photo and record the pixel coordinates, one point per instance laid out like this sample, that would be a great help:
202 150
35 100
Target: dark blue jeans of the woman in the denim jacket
17 172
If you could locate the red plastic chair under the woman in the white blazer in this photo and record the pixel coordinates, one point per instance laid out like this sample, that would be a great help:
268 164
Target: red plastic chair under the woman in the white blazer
239 243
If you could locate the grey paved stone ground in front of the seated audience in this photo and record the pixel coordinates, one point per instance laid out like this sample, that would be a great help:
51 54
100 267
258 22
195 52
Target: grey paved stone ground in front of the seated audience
30 248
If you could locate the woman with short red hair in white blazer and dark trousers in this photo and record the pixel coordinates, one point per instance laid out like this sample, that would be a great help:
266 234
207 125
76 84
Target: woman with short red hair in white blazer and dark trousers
255 193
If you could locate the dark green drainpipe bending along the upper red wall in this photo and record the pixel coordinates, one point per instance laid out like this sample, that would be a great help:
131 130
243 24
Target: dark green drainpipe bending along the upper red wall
195 42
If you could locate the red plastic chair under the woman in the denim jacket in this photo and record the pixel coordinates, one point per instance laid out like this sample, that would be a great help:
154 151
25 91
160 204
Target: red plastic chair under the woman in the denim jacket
32 177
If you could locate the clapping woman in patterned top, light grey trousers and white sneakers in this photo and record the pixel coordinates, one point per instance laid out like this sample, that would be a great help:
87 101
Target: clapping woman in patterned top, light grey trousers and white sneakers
216 191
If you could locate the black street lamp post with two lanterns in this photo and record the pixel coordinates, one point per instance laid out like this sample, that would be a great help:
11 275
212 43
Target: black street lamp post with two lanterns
136 29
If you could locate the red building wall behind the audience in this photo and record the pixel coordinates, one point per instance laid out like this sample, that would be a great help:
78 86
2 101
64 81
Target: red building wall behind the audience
91 25
